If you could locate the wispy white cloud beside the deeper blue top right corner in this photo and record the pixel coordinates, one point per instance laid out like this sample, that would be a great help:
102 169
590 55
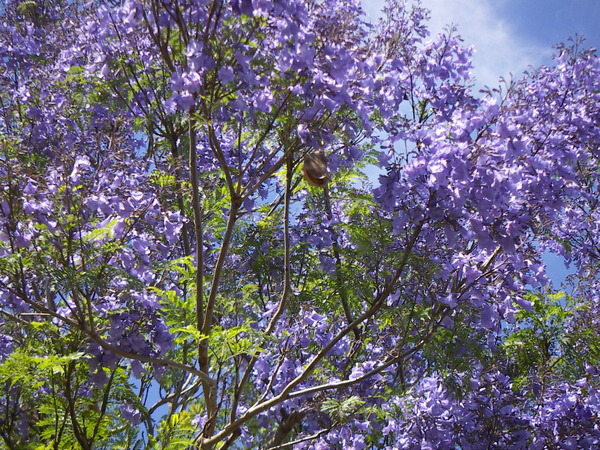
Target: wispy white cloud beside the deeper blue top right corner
499 49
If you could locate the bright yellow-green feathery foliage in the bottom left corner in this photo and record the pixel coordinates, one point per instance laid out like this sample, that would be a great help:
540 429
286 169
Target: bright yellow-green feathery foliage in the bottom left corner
93 413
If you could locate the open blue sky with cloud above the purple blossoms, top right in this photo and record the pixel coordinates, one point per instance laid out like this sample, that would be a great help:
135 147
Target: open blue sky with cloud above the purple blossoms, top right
511 35
